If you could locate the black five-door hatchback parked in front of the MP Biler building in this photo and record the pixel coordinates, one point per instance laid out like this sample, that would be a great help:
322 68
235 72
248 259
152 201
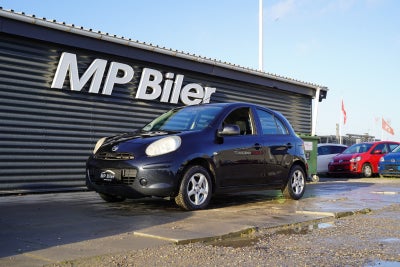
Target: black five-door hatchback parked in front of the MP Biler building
192 152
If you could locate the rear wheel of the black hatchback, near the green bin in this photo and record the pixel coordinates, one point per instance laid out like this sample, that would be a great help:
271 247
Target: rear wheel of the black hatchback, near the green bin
296 184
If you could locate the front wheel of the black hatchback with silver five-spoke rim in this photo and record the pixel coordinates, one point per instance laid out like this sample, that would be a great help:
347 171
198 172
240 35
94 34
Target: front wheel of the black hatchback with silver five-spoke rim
195 189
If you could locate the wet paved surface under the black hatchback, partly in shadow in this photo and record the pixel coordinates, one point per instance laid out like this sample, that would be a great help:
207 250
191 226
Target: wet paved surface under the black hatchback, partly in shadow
41 229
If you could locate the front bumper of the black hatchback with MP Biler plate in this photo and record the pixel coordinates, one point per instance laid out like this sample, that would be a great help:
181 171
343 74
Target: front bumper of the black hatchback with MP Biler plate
132 180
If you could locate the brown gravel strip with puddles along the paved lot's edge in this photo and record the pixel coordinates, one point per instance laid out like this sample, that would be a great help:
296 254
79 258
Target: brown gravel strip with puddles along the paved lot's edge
371 239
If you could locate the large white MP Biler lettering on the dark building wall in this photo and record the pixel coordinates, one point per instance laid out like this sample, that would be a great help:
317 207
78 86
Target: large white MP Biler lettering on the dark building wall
152 85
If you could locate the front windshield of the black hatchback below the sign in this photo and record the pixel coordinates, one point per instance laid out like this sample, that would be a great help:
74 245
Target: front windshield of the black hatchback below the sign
184 119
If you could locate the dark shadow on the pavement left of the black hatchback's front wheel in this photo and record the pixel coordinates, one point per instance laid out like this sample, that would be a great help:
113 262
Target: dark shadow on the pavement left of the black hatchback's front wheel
35 222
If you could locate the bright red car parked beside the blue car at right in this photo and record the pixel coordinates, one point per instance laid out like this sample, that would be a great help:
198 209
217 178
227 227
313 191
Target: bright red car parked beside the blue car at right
360 159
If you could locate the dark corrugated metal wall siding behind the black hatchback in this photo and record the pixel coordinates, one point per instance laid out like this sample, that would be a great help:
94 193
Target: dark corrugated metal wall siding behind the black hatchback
47 134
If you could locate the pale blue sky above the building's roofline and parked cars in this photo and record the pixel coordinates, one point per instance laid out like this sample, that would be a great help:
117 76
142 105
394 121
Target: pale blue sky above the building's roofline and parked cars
350 46
